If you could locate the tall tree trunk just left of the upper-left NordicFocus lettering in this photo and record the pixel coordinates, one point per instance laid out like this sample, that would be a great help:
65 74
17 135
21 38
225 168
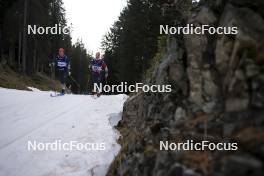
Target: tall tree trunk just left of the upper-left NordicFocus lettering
24 46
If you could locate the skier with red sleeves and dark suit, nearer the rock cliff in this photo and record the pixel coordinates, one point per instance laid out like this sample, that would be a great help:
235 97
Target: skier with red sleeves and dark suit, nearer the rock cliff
97 66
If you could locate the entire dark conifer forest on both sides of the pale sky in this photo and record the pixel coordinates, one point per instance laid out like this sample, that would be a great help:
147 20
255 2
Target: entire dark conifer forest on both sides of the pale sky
132 47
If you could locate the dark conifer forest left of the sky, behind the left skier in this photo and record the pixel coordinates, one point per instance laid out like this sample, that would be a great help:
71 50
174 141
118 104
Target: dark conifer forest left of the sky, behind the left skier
30 54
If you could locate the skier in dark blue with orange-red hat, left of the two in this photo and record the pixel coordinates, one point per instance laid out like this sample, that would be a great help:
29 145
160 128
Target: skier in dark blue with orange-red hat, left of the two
62 63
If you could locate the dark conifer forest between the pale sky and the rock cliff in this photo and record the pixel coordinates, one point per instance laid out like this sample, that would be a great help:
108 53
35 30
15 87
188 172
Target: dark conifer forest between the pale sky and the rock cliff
133 46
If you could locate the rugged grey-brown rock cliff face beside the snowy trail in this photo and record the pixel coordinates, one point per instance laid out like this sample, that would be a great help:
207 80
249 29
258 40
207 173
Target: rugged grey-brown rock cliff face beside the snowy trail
218 95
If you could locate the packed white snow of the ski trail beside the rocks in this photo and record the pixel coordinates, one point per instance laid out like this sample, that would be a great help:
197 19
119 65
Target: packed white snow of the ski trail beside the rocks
35 116
